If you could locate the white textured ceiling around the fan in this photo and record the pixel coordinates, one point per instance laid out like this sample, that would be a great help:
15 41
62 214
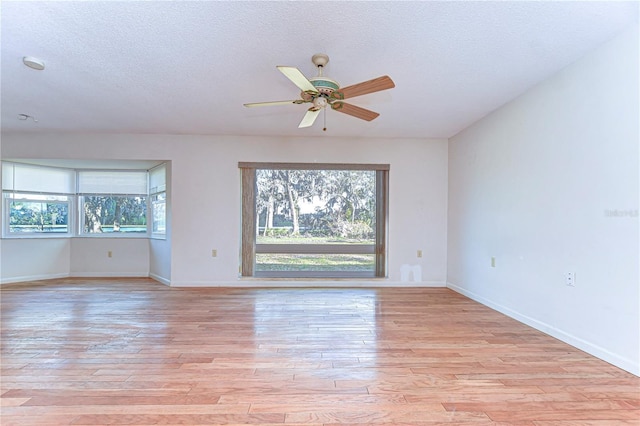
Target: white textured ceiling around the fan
187 67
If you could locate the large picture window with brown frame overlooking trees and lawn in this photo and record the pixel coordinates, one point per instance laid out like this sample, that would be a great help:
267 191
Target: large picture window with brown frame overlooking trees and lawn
314 220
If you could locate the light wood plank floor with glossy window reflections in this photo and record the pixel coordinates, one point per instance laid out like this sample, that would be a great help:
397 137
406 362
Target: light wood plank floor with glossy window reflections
134 352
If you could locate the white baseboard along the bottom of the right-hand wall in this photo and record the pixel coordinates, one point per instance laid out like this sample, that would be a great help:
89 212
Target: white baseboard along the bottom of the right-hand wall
592 349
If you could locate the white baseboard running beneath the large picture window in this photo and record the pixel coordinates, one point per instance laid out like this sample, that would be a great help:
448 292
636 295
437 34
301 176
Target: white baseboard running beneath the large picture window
320 283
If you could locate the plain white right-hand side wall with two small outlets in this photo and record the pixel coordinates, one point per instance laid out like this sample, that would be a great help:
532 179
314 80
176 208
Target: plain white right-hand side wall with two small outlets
547 185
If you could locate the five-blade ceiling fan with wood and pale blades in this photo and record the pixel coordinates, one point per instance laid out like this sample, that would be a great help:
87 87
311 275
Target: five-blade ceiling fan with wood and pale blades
321 92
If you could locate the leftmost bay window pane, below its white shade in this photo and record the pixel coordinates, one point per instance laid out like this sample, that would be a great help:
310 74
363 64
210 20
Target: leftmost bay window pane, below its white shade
31 214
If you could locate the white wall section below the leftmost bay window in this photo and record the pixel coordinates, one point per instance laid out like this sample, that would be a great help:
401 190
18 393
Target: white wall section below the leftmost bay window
31 259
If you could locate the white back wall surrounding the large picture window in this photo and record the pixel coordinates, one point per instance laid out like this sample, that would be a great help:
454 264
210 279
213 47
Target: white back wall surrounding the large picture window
205 193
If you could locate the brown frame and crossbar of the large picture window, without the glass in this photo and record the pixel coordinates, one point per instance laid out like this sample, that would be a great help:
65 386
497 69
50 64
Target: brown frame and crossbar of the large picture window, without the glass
249 247
